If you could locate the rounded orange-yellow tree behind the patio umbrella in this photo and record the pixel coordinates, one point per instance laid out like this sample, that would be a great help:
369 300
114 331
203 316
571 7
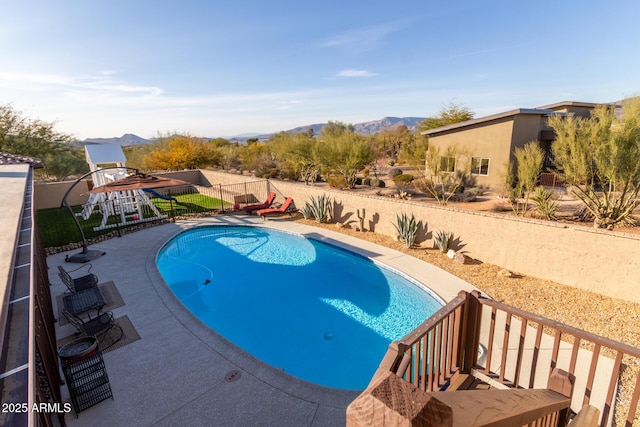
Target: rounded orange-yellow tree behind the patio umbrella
183 152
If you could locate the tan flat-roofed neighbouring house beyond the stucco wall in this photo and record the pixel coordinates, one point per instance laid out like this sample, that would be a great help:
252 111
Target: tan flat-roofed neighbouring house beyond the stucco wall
491 140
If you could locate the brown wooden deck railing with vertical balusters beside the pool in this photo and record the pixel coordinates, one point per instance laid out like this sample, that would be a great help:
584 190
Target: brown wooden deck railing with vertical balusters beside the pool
512 348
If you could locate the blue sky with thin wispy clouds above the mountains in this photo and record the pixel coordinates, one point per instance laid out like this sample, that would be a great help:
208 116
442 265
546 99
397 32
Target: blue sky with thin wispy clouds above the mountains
221 68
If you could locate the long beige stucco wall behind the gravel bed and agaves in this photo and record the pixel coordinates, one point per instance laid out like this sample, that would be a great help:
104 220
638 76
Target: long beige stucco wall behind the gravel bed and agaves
601 261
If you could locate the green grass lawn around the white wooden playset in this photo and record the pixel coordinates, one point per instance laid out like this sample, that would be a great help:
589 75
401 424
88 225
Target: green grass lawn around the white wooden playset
57 227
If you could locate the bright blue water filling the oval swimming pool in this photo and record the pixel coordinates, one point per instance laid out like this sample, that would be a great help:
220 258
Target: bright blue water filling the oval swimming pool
318 312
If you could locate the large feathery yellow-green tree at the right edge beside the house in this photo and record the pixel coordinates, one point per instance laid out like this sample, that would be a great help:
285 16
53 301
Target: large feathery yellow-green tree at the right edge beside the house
600 158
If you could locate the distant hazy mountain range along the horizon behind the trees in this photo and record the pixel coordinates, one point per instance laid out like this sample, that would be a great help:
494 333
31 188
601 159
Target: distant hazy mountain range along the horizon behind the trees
364 128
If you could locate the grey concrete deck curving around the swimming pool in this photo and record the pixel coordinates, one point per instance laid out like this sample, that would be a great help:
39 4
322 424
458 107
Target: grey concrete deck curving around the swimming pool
176 374
